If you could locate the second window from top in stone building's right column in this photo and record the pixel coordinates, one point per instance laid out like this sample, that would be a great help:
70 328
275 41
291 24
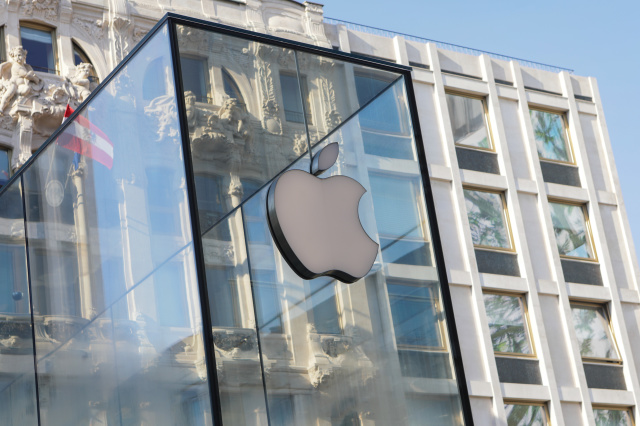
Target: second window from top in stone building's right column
572 230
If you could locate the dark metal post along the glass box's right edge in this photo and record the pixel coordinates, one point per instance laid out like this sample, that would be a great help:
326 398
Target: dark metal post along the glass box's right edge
439 254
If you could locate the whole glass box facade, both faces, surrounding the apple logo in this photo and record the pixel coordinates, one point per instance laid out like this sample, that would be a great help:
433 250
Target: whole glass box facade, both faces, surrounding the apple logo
141 283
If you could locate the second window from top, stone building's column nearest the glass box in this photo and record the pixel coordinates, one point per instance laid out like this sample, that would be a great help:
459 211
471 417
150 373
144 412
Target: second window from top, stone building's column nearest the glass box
488 220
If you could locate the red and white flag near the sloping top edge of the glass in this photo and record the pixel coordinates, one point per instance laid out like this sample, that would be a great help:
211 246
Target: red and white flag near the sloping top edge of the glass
84 138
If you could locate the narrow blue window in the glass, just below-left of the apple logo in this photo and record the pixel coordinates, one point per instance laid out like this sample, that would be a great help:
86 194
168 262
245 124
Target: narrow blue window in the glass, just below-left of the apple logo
267 300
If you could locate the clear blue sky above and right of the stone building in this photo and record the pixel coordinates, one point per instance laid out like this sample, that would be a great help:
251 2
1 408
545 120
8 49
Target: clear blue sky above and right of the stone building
594 38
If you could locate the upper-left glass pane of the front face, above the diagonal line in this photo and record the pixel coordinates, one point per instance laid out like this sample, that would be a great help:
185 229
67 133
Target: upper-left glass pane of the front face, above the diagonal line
242 138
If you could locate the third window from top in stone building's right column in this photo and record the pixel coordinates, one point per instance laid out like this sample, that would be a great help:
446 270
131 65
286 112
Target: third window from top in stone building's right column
594 334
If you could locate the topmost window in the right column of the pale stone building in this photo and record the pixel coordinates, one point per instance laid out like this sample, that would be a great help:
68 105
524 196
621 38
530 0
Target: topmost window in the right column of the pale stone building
550 132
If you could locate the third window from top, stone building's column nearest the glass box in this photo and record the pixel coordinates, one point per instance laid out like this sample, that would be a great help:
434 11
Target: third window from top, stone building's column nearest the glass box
508 325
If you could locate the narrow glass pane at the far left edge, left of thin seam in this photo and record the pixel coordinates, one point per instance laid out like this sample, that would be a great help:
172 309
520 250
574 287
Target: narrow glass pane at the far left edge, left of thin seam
17 378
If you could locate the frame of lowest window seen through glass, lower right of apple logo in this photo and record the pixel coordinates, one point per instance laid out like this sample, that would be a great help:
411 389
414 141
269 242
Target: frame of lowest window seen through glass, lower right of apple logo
438 308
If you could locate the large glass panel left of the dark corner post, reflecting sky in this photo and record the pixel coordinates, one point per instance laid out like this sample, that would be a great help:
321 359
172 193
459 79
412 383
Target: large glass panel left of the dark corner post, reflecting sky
116 306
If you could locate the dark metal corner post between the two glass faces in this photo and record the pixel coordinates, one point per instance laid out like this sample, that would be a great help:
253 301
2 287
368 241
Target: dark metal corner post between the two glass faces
214 389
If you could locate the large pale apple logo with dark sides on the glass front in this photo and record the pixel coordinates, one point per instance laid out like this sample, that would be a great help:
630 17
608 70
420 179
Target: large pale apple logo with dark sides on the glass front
315 223
